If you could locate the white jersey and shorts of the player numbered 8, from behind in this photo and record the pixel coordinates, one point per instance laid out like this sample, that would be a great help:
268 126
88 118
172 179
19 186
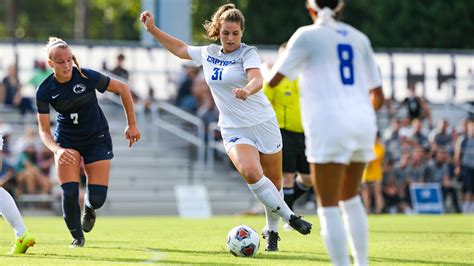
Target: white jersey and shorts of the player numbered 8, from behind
336 70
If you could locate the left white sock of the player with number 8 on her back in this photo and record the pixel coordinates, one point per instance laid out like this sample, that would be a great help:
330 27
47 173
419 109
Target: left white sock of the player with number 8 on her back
333 235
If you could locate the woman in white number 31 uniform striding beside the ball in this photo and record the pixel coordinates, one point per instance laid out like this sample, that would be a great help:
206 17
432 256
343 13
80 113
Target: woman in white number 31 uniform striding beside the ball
248 124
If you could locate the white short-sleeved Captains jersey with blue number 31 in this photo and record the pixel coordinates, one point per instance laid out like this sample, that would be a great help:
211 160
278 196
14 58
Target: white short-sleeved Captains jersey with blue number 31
225 72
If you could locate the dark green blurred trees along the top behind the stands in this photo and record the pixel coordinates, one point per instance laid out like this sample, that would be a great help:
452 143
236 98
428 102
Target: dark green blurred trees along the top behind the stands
388 23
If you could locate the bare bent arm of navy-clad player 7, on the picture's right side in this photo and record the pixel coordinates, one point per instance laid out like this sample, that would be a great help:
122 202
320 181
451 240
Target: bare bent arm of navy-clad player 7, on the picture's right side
132 133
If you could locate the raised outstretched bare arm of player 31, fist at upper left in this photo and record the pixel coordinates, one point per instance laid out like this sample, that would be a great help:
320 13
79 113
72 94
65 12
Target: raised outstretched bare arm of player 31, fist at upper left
172 44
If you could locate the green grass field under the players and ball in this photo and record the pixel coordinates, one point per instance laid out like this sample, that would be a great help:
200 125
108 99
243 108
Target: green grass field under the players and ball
408 240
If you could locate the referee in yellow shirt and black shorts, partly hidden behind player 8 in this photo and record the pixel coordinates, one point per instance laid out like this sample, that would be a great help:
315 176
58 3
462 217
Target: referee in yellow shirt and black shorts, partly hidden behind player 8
286 104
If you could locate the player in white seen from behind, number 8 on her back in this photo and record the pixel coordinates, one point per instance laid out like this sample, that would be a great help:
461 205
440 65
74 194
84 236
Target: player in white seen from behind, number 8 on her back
338 78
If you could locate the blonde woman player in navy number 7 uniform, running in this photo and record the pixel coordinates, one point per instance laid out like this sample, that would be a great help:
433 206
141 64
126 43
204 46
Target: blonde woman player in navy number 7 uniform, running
82 130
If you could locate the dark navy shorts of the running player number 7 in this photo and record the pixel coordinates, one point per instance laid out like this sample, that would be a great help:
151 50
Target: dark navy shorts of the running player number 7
102 149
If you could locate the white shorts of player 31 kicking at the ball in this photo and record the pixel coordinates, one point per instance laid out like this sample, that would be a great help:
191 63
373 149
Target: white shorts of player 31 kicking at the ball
266 137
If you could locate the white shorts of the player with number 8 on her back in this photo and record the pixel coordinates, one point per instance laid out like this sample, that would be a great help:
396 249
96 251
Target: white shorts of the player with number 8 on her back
340 141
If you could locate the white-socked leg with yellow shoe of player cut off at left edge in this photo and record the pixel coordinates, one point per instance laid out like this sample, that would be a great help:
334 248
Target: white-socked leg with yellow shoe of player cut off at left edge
9 211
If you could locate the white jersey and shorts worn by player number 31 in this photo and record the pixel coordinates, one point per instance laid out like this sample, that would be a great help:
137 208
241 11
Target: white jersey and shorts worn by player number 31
252 121
